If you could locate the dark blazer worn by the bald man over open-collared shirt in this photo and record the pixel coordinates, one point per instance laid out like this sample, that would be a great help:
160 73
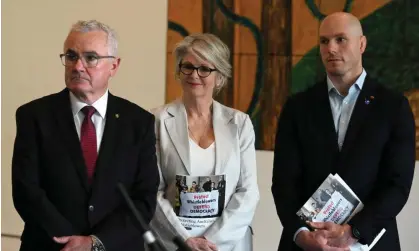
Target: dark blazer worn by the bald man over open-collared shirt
377 158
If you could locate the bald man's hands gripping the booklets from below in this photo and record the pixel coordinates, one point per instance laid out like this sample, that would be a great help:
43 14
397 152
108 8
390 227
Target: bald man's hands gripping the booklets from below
316 241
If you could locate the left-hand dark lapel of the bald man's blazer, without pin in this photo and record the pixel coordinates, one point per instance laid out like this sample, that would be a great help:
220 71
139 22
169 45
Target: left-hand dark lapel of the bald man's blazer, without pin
323 118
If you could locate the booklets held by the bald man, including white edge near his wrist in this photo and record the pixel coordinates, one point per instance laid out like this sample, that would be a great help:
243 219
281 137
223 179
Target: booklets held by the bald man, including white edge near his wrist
334 201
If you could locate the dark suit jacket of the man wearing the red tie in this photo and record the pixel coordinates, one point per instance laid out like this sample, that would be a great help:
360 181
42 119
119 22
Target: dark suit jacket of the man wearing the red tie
50 188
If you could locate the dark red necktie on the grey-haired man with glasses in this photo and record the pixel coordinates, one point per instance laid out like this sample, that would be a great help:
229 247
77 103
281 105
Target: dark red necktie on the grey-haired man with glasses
88 141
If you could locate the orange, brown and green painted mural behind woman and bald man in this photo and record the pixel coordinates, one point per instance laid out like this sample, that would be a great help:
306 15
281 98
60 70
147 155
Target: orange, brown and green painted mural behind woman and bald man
274 45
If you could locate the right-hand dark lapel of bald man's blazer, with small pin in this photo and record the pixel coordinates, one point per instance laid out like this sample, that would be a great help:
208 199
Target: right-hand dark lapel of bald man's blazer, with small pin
362 108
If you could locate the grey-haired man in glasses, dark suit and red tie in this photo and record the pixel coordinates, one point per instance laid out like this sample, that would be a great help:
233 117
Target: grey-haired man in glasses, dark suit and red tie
72 148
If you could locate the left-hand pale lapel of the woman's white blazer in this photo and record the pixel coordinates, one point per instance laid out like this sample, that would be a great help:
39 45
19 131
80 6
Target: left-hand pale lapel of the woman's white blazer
177 128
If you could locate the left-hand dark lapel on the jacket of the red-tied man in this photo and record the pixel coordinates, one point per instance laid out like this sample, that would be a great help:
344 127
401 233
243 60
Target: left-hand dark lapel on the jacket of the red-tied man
67 128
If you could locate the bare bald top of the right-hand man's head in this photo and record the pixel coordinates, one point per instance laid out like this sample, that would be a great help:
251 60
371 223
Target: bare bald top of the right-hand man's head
344 21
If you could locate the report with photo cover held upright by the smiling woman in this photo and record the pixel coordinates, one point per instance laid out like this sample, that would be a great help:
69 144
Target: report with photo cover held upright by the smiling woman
199 201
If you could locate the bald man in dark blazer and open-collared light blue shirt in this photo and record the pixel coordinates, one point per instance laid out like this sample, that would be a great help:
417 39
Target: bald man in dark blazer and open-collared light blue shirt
349 125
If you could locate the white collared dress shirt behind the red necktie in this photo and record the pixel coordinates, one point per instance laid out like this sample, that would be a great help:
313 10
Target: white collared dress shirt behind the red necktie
98 118
